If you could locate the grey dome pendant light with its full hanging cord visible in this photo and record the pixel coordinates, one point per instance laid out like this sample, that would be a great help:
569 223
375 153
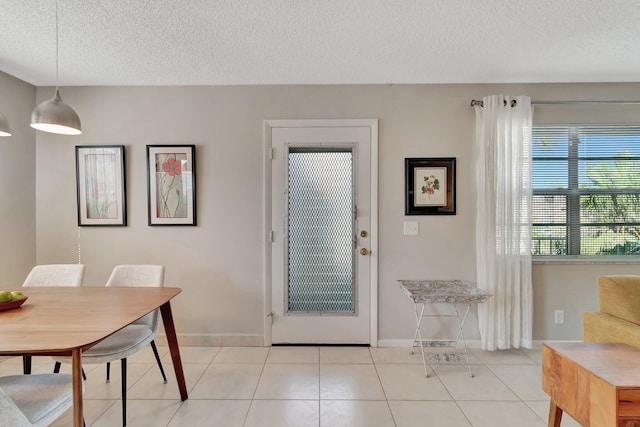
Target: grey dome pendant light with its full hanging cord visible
54 115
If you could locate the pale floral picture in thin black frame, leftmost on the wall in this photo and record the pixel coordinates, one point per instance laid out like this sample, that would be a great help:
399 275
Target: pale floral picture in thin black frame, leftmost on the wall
100 185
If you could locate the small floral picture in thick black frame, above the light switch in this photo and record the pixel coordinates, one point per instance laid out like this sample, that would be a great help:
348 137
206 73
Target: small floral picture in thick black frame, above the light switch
430 186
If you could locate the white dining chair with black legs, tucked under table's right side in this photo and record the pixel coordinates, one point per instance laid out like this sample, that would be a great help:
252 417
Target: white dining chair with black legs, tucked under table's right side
133 337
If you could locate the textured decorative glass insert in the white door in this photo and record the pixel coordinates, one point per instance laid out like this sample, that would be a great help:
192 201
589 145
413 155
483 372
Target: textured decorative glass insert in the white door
320 230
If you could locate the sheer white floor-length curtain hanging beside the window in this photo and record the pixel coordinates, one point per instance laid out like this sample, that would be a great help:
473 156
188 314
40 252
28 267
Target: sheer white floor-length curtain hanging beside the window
503 221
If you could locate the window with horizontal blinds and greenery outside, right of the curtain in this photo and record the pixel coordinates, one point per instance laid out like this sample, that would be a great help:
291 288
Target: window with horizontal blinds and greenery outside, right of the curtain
586 190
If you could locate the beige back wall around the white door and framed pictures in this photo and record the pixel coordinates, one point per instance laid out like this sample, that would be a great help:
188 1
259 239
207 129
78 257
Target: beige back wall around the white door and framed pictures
219 262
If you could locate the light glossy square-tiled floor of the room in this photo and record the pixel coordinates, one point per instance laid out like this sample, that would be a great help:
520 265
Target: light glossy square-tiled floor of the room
315 387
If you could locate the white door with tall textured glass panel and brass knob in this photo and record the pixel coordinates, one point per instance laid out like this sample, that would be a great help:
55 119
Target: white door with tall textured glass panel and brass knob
321 253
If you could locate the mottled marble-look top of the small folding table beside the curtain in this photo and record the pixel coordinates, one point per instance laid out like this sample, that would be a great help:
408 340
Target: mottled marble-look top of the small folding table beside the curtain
430 291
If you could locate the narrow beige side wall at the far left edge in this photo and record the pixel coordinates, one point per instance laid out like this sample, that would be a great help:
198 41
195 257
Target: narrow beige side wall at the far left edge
17 183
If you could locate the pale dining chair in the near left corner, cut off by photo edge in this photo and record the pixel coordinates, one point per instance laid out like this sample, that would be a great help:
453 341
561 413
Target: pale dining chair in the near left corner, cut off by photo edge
34 400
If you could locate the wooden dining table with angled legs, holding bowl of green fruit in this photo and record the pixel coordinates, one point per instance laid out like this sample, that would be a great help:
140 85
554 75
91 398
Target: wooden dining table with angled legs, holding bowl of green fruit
56 321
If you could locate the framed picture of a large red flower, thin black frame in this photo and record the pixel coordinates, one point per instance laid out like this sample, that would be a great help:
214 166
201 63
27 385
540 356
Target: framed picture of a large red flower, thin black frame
171 184
